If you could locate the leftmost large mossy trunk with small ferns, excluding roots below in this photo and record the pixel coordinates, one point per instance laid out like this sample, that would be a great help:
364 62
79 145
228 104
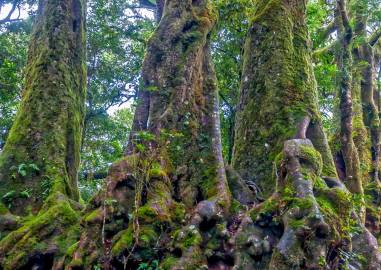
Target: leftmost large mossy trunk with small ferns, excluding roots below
41 155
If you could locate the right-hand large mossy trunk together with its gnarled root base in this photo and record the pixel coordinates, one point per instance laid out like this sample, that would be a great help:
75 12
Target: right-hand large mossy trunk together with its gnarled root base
303 224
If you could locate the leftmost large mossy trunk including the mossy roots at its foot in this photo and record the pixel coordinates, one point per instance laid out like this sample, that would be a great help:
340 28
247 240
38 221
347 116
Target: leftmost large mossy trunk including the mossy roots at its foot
40 161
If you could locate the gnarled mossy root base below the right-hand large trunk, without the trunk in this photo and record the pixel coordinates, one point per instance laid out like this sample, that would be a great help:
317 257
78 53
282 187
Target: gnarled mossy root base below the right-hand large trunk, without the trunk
297 227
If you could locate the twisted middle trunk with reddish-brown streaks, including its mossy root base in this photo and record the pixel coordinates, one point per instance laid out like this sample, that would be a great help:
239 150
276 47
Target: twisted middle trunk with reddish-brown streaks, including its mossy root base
165 198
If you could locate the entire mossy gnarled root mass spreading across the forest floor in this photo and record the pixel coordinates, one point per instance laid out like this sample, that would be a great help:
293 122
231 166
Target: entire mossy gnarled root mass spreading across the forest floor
308 223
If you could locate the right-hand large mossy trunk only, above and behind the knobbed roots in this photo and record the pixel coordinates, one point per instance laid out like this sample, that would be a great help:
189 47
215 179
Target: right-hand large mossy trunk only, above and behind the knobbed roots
278 92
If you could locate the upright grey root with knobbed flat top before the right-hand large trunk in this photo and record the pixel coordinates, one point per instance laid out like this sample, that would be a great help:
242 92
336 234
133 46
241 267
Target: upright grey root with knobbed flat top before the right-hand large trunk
303 220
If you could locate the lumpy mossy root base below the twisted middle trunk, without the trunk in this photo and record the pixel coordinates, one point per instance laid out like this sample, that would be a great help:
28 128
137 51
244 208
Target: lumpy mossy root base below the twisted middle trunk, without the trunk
123 230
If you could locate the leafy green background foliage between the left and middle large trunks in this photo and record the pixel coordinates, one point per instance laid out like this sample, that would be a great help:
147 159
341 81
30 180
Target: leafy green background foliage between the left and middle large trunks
117 34
